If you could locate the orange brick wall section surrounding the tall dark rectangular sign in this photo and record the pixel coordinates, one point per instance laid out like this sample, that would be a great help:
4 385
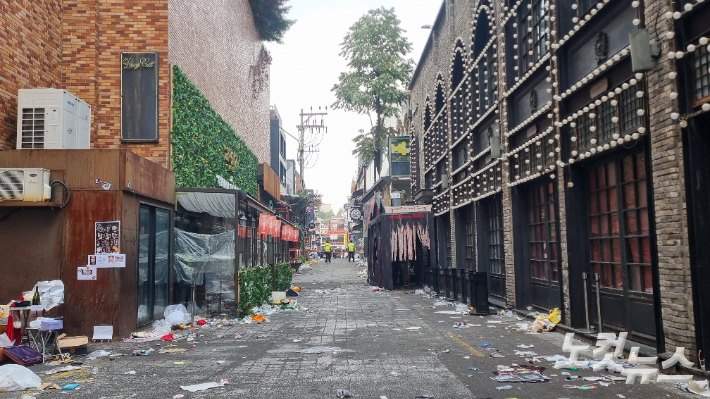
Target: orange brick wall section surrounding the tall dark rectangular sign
94 34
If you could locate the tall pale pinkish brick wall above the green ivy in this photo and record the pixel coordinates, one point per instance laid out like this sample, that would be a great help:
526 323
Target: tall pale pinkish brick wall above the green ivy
216 44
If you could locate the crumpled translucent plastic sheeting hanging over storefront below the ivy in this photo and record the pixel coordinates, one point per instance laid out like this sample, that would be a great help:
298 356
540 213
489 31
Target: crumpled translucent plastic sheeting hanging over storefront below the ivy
201 255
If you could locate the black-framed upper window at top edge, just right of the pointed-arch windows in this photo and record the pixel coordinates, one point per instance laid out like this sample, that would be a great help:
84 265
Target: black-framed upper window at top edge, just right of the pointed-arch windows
532 33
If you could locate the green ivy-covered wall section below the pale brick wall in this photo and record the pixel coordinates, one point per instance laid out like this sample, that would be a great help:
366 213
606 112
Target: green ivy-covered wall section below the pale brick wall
204 145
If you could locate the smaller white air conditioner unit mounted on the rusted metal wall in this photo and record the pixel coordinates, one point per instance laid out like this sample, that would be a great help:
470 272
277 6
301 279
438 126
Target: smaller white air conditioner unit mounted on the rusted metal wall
27 184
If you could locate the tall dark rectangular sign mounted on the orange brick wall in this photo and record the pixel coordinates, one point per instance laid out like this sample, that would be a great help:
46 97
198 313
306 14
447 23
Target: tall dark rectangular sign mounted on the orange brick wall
139 96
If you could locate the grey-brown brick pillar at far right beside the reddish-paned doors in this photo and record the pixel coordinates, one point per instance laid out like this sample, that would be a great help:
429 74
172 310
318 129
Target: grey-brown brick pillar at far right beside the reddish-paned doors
669 195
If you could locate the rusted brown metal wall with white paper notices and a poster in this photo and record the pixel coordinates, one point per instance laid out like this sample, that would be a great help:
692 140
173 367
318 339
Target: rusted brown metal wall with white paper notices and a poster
50 243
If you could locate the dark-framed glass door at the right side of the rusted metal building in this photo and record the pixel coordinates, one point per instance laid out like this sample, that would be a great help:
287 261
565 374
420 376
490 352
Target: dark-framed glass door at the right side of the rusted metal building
153 263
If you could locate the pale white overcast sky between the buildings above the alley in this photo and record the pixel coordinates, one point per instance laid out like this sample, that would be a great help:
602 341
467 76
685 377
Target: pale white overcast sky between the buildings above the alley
308 64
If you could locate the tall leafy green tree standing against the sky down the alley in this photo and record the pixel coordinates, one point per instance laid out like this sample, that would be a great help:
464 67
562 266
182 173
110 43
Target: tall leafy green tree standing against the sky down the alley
379 72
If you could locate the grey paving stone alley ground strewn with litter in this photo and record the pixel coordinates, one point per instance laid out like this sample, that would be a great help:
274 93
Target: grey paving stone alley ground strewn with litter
376 355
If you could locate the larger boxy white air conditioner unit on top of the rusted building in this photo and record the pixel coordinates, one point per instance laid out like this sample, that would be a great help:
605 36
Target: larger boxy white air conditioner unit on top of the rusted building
52 119
